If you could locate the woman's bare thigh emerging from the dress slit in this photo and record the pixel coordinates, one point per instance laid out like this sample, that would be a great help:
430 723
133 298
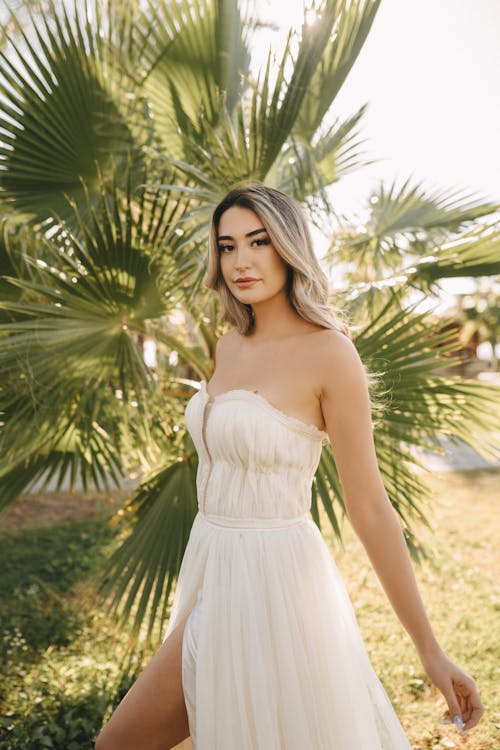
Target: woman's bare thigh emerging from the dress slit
152 715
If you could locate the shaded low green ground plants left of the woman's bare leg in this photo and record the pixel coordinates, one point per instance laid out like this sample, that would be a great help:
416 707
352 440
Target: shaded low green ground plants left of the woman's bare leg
57 680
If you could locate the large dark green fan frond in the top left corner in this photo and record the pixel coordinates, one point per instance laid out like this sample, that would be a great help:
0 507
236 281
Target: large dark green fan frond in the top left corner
61 120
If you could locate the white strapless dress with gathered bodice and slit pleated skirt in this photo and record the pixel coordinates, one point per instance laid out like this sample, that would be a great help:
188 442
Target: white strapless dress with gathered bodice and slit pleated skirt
272 656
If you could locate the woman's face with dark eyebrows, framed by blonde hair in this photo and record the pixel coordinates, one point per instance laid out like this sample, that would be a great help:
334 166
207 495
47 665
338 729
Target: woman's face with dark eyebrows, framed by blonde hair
246 252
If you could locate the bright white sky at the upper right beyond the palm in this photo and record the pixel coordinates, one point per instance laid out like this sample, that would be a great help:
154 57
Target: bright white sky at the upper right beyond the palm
429 70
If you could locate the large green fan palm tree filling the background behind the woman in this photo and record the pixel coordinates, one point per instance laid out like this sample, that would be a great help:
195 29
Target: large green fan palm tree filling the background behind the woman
123 124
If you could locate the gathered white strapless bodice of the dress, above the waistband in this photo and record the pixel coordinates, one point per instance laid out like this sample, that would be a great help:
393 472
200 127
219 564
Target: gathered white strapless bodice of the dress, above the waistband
255 461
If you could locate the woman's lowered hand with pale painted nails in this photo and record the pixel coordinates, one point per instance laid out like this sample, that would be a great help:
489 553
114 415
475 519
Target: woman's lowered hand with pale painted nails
458 688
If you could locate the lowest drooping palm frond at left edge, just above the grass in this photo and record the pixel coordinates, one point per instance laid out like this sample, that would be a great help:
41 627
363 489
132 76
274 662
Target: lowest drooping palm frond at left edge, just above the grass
82 441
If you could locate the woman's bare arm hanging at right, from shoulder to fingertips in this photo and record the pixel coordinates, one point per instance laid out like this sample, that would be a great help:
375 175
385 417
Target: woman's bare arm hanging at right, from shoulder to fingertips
346 409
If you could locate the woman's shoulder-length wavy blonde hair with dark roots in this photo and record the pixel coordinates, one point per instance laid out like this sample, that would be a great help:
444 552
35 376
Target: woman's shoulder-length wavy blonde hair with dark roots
307 284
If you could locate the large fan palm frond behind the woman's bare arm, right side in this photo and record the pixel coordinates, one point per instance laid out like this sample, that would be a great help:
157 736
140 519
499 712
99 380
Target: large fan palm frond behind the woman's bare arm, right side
415 408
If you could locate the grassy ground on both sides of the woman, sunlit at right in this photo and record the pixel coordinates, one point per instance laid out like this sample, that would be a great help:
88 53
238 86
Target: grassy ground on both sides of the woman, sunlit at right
62 656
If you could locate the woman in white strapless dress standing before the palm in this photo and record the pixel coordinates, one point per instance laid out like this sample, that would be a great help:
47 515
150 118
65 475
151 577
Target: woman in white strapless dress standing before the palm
262 650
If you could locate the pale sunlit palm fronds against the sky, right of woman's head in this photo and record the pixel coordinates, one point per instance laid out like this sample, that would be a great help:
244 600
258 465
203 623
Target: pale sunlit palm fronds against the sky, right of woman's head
415 237
